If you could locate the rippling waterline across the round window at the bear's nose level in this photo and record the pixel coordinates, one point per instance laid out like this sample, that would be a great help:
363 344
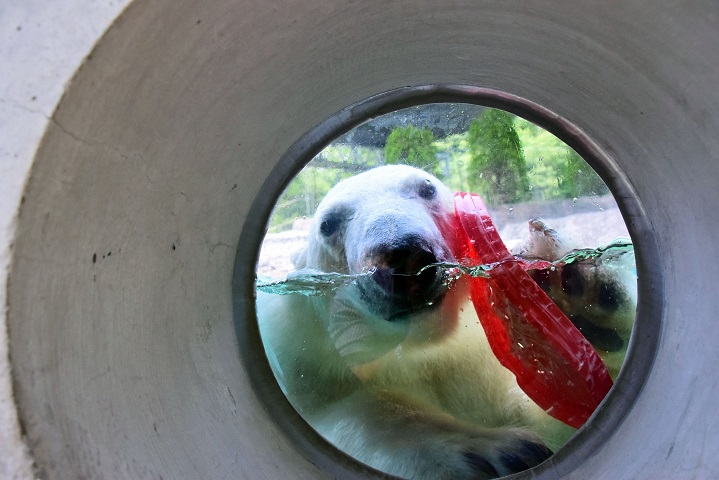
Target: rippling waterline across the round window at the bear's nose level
310 282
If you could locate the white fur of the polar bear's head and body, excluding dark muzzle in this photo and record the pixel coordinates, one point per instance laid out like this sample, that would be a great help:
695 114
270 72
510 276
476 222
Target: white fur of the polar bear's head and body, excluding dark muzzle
411 397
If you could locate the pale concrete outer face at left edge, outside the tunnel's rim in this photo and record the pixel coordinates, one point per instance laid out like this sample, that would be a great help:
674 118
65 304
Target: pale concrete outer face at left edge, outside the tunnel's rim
41 45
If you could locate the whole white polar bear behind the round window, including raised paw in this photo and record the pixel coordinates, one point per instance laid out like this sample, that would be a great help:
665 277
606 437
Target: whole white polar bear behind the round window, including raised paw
394 369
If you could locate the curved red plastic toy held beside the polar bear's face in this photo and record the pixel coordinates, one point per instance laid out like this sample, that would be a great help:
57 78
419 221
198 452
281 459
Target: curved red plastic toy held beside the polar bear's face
554 364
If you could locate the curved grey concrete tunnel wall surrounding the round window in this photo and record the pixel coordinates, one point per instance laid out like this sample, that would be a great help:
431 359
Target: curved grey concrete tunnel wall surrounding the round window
129 314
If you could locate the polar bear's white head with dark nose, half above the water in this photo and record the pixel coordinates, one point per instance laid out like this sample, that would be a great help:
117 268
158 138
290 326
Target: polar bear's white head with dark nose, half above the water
392 221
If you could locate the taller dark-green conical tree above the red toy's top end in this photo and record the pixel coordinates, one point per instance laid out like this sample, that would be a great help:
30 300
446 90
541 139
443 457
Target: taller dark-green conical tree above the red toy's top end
496 167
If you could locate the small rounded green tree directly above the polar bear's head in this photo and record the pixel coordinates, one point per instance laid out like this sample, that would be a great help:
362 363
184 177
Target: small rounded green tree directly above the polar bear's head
412 146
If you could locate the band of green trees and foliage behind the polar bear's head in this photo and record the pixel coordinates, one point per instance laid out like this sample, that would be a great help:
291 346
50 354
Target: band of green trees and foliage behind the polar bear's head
504 158
